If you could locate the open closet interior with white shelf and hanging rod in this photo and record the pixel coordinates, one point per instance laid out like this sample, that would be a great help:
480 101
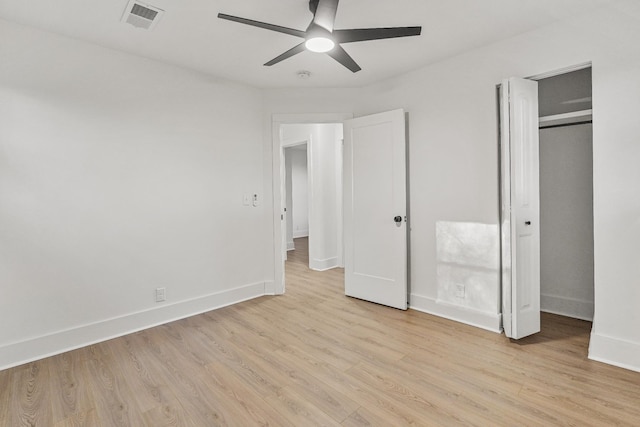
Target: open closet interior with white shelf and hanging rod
566 194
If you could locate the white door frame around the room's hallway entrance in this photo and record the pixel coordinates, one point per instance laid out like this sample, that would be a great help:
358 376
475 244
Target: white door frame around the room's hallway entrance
277 120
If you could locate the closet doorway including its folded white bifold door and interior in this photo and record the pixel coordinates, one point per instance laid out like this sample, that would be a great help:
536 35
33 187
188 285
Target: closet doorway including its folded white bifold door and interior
546 199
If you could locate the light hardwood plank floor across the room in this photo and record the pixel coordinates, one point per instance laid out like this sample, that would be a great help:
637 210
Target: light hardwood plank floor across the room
316 357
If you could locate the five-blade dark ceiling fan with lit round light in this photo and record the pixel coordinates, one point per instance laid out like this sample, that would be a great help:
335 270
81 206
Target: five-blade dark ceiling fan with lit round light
320 36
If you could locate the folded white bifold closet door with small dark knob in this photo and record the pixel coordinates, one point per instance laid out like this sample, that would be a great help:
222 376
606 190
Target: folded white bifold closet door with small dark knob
520 228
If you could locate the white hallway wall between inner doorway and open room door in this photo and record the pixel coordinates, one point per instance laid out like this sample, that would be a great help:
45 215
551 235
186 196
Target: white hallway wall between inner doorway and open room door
324 199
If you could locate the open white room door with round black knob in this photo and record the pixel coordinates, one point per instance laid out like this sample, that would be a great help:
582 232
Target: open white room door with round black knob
375 229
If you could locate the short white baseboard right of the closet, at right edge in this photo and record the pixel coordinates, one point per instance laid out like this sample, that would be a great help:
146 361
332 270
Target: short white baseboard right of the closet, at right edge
614 351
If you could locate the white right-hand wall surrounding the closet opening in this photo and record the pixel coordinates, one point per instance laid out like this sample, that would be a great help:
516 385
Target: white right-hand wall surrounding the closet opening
454 160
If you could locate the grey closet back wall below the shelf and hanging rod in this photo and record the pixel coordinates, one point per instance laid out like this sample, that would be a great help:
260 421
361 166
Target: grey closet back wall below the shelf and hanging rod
566 221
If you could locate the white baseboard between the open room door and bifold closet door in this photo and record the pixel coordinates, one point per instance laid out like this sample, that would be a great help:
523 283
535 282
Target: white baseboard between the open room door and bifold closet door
480 319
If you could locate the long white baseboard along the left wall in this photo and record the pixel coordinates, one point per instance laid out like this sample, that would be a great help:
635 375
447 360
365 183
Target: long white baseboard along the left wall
18 353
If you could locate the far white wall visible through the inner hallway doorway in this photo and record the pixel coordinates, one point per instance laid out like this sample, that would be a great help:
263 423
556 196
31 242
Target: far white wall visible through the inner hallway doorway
300 187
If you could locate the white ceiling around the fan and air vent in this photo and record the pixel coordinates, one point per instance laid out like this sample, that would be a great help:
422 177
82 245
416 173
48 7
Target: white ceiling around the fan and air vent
190 35
